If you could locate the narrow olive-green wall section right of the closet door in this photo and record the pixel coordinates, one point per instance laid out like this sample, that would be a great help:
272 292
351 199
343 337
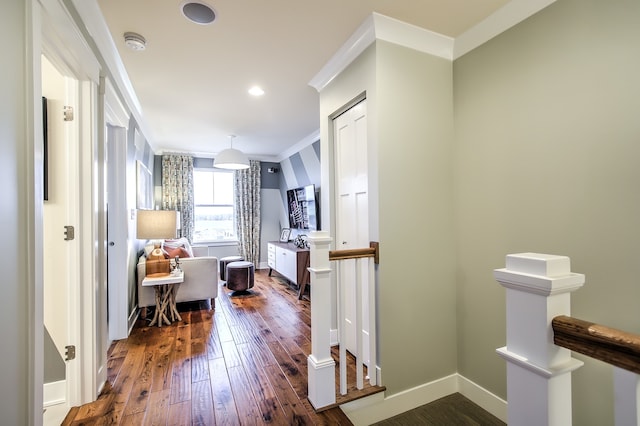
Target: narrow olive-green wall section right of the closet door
417 269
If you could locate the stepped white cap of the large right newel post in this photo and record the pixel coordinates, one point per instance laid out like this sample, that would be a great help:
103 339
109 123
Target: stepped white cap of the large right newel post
543 274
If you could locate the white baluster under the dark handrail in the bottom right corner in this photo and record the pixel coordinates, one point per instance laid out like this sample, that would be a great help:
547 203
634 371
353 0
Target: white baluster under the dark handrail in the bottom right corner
627 397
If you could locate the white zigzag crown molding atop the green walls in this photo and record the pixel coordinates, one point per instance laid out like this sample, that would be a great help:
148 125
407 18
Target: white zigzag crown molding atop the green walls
381 27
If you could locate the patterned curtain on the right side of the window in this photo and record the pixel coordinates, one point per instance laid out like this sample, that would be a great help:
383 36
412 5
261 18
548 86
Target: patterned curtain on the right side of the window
247 193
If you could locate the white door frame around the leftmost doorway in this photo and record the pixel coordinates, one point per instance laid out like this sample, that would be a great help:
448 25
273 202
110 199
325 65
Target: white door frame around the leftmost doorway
57 36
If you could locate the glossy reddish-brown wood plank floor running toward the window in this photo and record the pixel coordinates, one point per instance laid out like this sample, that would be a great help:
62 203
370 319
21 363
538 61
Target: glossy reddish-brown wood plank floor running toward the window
244 362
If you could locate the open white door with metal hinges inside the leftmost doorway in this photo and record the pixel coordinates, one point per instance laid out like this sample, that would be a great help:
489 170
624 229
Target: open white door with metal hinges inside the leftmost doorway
60 277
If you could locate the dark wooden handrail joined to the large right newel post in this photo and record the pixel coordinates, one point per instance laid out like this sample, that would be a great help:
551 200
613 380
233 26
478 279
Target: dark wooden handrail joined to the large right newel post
610 345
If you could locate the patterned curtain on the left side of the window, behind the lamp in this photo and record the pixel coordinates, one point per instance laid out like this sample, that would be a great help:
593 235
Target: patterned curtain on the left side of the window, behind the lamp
177 190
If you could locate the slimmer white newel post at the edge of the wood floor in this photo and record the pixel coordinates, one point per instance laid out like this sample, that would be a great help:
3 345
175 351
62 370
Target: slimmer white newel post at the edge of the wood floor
321 366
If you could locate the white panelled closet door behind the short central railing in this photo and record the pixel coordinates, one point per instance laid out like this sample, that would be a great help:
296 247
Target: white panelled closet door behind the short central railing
352 212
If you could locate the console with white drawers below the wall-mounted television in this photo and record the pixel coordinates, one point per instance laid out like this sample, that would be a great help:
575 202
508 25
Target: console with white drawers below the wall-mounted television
291 262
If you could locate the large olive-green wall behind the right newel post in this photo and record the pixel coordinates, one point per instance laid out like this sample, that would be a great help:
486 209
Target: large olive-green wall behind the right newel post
547 150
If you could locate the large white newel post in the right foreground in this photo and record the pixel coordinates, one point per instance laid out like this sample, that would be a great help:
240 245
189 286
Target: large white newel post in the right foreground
538 288
